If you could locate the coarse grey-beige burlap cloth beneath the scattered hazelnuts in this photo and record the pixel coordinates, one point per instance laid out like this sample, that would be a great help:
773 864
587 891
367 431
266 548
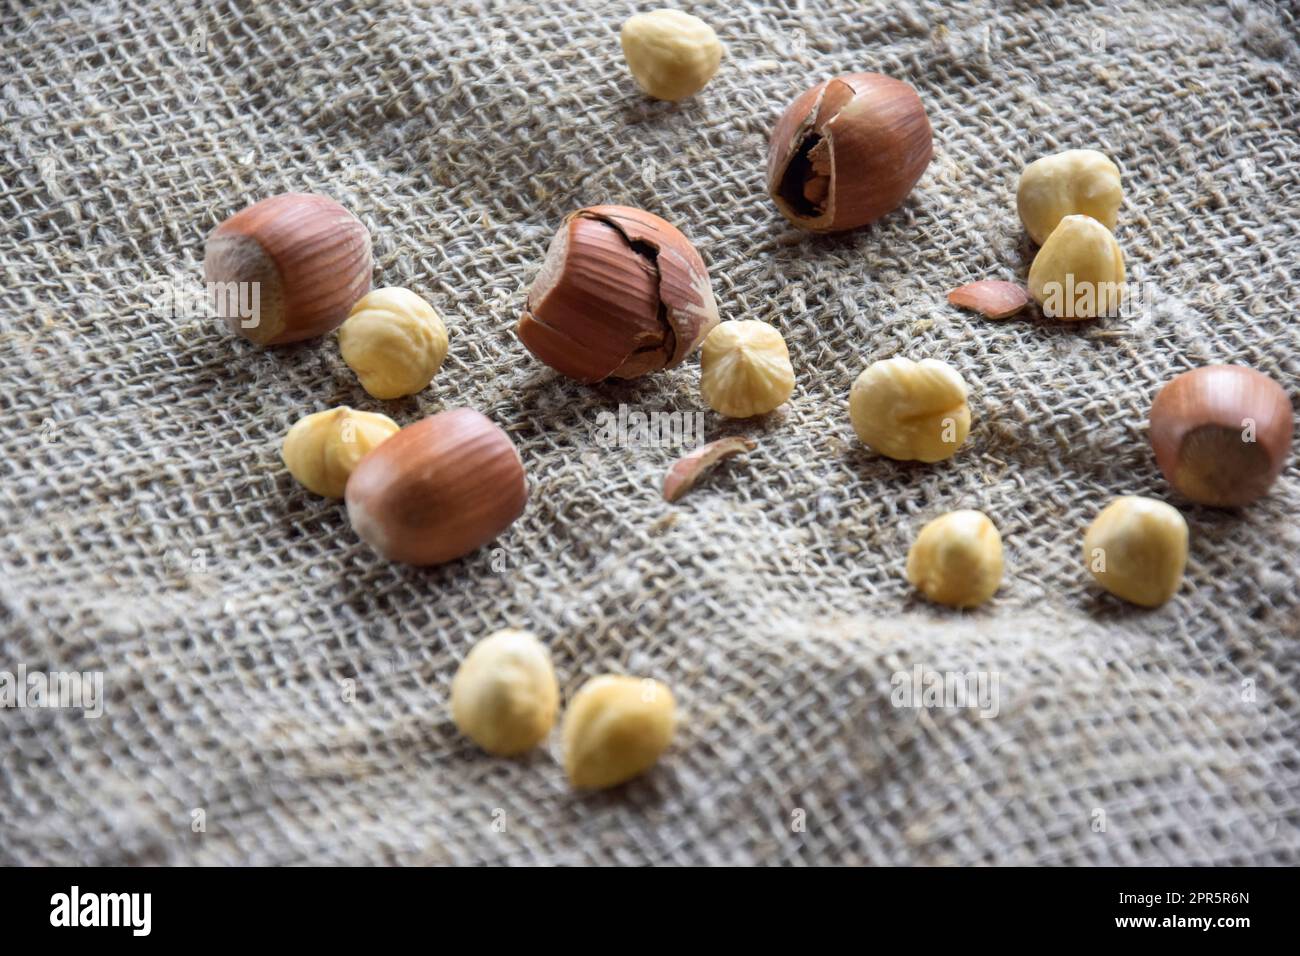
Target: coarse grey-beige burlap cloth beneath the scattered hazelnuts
276 694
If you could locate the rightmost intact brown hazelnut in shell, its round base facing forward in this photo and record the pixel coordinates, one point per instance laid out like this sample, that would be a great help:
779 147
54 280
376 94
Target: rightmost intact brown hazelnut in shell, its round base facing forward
1221 434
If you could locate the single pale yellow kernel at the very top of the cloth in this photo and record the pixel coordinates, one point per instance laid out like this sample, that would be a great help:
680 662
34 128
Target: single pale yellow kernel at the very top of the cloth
670 54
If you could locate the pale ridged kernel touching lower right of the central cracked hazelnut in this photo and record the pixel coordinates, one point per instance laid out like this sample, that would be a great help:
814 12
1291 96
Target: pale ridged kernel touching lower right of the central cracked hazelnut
746 370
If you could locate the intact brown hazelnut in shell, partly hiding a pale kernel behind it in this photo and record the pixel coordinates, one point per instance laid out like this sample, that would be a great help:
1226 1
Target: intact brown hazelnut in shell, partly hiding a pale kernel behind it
437 490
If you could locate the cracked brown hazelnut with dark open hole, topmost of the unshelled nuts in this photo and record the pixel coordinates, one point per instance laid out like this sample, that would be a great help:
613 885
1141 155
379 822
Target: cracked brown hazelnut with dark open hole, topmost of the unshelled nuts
848 152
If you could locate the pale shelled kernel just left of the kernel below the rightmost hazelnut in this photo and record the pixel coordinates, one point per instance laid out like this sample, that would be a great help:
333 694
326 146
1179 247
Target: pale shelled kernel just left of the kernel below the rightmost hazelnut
957 560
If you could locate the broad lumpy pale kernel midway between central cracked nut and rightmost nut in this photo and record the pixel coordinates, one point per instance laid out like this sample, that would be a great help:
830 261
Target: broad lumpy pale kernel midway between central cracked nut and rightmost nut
911 410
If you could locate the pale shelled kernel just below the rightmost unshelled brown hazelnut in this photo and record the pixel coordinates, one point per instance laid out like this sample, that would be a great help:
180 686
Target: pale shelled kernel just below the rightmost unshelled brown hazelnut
1137 550
